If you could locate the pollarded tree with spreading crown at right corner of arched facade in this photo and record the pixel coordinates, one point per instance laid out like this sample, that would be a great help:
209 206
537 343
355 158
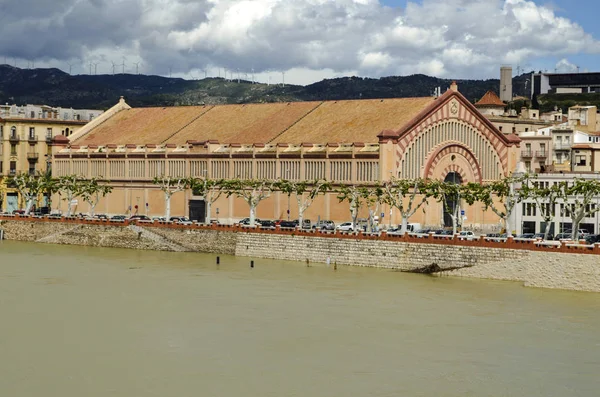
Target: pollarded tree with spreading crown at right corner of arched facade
503 190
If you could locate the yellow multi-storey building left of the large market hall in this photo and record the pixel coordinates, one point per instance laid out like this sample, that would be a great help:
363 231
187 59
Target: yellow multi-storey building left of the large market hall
26 134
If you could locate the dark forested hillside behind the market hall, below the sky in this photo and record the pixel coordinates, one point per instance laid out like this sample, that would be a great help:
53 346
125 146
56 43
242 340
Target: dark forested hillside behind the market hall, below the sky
57 88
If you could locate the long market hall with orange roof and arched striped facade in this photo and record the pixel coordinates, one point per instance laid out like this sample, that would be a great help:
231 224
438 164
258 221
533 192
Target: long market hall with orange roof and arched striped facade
349 142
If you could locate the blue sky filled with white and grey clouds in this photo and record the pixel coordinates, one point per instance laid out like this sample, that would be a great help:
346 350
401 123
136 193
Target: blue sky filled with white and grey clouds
301 41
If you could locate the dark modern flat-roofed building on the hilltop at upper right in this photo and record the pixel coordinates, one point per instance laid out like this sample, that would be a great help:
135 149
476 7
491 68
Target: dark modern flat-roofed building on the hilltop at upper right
564 83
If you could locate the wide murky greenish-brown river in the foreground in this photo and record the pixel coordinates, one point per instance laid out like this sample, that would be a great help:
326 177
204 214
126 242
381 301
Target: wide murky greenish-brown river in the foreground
83 321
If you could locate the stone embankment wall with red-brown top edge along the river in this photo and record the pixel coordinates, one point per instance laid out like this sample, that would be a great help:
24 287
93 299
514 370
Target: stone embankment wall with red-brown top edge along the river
575 267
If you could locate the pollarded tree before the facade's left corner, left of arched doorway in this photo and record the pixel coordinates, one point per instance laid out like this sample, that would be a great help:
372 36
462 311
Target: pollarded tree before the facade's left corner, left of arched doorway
396 192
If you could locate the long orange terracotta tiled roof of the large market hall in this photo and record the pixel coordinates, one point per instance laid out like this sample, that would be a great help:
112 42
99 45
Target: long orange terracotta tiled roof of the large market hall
295 122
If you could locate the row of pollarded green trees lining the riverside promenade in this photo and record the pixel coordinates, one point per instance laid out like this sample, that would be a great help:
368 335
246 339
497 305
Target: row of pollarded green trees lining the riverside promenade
406 195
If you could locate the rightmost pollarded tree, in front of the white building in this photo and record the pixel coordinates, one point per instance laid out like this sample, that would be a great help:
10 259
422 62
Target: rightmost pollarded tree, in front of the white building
577 197
